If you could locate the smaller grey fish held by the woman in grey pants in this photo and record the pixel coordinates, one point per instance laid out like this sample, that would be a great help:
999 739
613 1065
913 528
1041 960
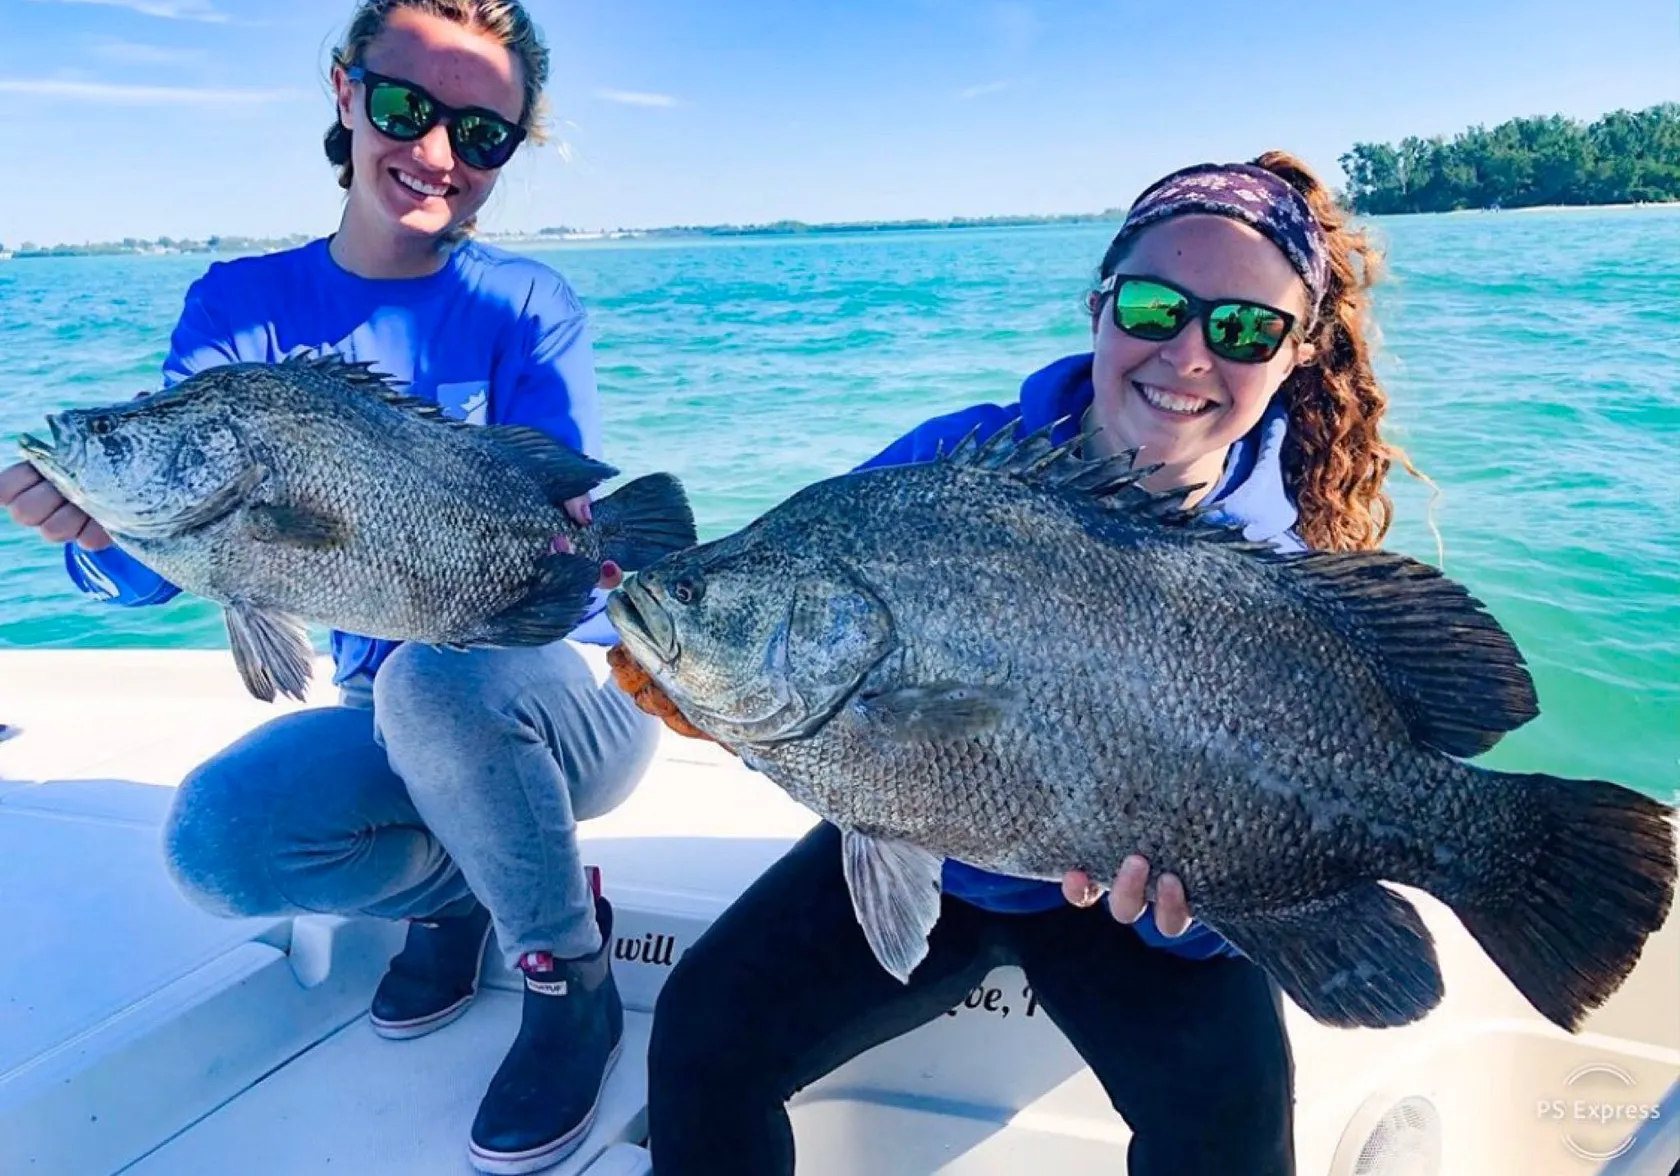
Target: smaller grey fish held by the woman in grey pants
315 491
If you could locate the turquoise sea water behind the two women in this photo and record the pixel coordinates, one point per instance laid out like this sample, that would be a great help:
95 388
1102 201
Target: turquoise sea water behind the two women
1533 364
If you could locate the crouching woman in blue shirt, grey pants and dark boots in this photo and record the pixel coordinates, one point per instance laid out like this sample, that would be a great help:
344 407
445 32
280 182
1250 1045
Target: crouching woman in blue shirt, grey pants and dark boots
446 789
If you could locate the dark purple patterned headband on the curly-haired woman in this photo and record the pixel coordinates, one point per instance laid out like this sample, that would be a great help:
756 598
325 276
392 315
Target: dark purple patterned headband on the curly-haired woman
1247 194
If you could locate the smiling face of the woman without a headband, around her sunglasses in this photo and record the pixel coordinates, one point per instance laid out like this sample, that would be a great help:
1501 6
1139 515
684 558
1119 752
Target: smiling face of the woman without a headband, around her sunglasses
421 187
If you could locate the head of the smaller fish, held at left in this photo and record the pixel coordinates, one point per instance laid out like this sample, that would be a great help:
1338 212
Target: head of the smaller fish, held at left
139 465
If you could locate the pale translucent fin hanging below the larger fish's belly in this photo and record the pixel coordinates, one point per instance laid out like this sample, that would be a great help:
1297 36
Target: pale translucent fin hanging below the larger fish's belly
896 896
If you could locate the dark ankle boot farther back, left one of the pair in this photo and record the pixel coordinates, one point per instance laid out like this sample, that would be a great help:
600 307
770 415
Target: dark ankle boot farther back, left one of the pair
436 975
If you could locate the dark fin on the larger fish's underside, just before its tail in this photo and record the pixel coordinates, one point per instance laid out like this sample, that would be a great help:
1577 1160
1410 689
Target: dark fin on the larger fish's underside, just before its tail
1357 958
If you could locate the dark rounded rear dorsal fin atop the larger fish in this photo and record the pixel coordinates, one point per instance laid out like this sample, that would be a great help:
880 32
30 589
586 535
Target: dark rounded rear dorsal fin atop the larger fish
1451 668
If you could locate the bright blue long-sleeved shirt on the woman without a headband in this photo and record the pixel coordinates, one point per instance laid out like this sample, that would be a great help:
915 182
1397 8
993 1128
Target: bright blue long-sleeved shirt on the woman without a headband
491 339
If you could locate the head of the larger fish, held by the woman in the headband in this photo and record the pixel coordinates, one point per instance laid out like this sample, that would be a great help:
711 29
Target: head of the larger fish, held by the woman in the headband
753 643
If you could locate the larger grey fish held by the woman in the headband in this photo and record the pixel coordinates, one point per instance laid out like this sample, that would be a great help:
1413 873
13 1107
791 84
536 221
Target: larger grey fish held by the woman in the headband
1024 661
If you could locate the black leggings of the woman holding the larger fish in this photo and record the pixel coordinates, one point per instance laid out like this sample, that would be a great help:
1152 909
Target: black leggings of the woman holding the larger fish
784 990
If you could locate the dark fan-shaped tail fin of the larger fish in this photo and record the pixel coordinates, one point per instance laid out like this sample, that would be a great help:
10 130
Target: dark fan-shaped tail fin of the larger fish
1597 879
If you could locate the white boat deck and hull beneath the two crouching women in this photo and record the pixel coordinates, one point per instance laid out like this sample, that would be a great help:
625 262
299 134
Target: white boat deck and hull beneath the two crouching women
140 1036
